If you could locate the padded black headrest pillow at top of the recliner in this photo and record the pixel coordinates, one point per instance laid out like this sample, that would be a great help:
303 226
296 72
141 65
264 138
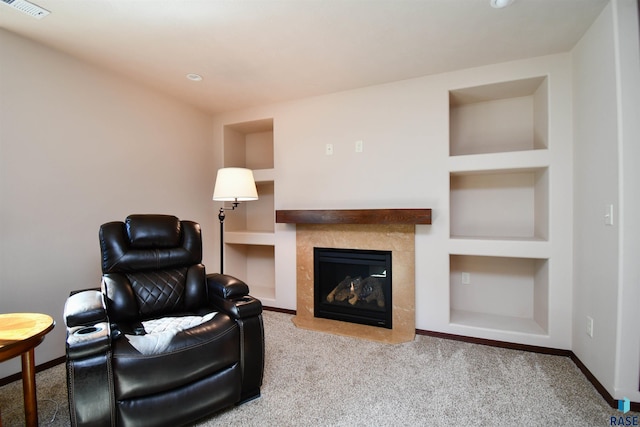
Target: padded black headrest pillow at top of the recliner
153 231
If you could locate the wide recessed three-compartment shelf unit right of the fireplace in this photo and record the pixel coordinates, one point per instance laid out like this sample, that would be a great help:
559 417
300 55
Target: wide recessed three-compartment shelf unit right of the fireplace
499 207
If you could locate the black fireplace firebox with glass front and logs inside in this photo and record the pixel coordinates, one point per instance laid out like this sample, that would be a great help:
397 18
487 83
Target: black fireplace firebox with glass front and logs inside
353 285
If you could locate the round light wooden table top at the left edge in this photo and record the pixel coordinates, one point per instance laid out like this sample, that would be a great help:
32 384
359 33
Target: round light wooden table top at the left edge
21 331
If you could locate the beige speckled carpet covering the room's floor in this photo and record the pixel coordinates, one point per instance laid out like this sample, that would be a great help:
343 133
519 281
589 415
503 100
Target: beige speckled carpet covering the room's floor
316 379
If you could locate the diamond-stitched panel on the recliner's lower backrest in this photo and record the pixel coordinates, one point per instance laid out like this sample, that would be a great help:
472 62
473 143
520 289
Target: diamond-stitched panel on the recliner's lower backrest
159 291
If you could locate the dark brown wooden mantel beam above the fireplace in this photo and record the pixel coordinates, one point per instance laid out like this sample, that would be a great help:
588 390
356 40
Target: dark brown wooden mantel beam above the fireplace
355 216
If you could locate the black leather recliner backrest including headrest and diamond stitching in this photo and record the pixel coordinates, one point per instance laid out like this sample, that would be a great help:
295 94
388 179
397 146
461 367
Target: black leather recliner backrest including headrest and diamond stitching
151 266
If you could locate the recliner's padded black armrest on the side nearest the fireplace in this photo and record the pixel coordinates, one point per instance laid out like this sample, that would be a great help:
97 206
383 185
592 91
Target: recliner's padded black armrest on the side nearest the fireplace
231 296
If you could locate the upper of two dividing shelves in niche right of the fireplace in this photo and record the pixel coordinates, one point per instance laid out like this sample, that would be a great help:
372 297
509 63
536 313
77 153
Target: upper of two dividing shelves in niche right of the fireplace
511 161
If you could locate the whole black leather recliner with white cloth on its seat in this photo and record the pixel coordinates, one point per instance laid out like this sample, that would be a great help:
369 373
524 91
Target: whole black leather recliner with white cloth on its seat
162 343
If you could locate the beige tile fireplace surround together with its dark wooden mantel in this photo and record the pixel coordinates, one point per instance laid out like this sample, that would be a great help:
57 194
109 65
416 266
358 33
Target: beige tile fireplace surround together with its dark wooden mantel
381 229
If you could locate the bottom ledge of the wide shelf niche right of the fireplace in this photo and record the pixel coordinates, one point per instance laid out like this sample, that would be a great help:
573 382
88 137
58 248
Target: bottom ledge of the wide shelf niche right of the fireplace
496 322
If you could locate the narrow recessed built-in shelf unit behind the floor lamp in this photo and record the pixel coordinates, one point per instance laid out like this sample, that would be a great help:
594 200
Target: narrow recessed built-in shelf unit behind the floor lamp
249 230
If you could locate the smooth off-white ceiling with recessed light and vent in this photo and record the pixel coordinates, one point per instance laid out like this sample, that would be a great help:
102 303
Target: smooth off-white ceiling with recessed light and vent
254 52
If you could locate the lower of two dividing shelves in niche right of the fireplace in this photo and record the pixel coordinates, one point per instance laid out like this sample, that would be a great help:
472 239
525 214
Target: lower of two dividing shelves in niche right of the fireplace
500 246
